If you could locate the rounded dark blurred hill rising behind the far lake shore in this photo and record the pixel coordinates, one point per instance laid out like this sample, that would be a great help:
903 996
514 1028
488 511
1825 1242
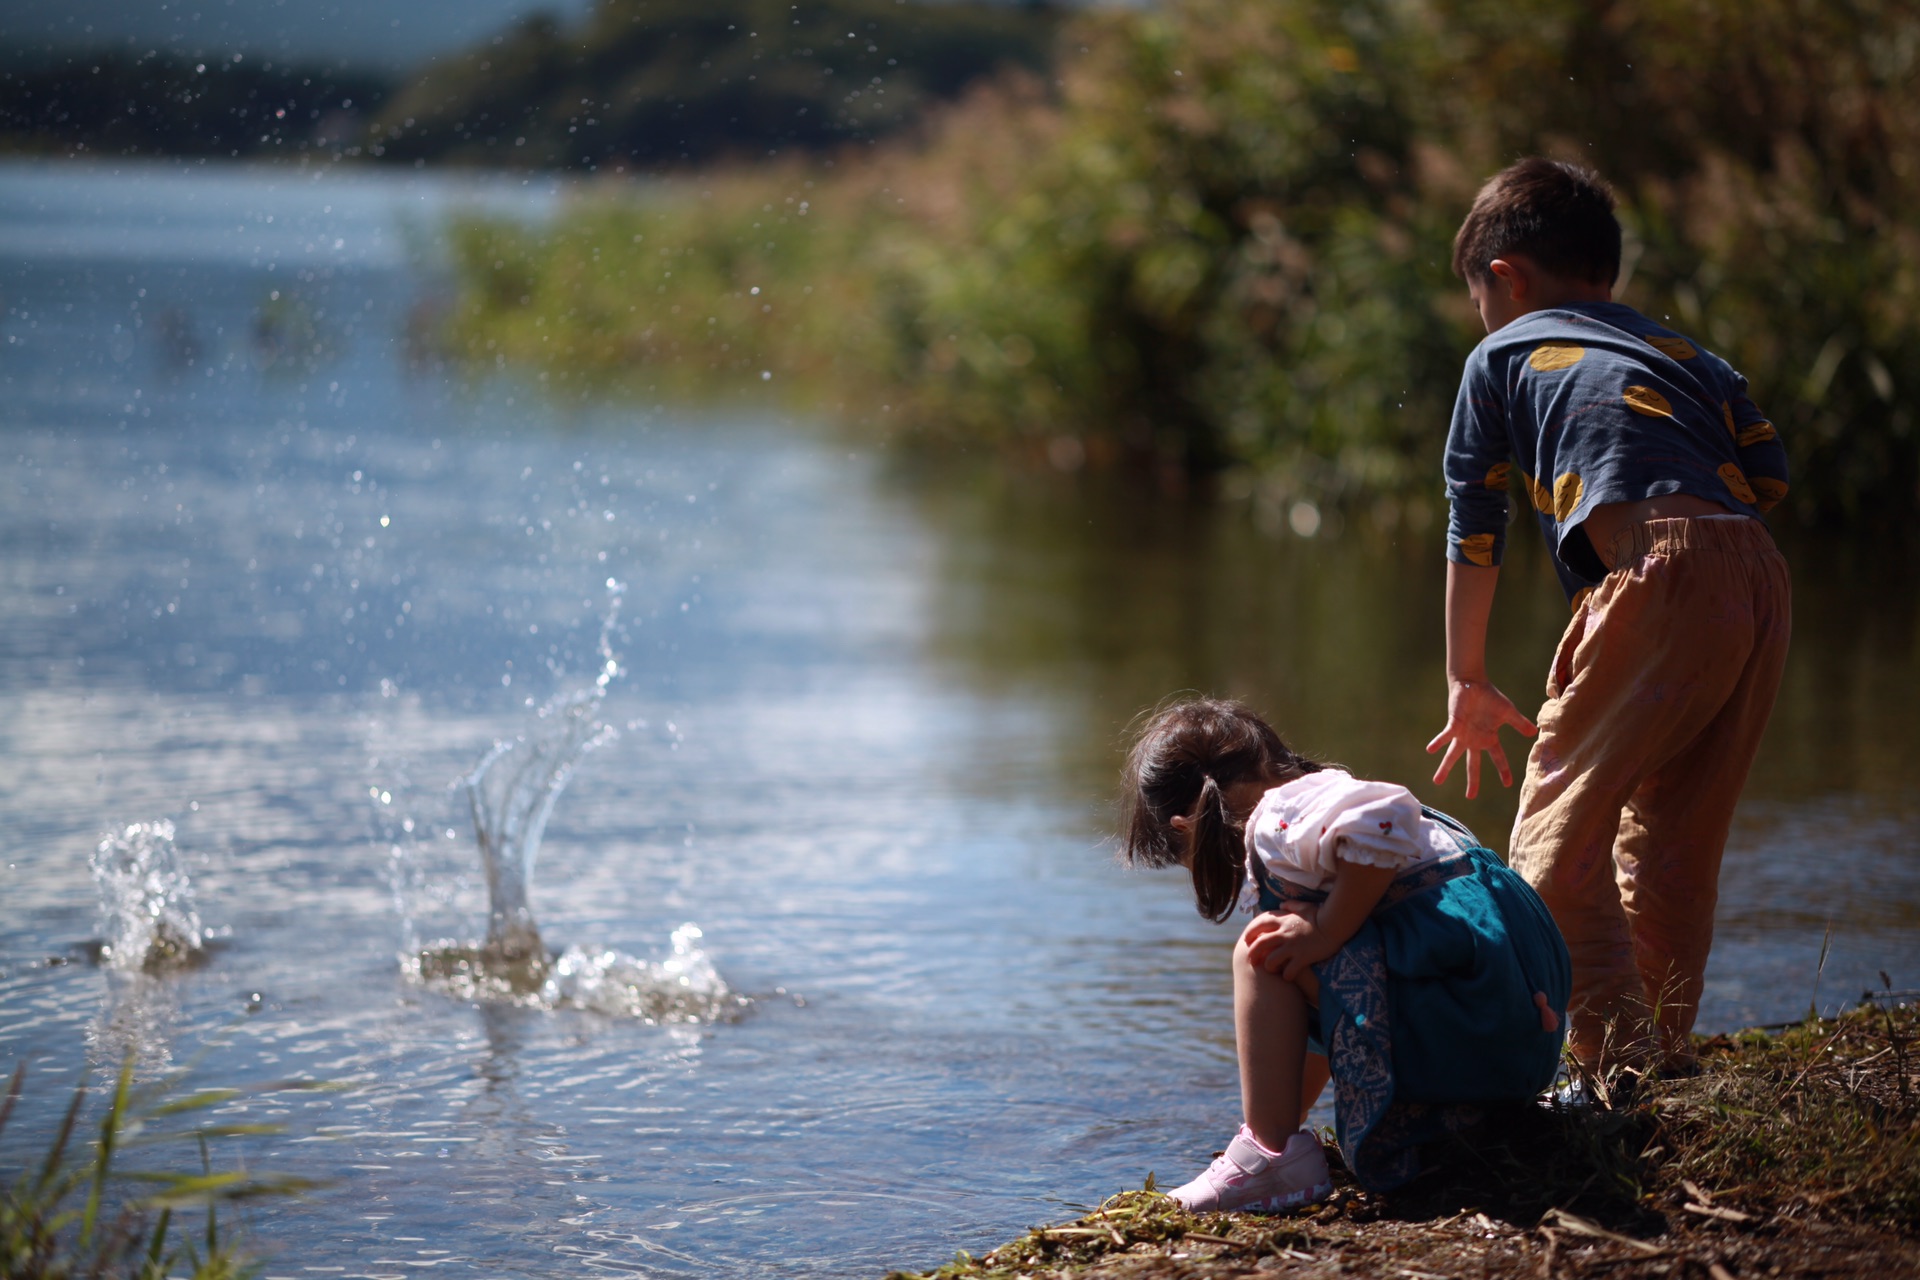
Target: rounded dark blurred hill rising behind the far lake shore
648 83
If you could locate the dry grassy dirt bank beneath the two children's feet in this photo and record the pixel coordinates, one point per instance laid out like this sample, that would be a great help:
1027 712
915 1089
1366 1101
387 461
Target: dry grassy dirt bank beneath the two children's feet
1792 1154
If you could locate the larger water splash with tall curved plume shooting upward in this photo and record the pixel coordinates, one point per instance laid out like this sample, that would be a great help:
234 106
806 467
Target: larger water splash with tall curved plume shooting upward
512 795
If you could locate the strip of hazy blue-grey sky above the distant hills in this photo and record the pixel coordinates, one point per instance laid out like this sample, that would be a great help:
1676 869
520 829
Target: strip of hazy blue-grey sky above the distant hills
364 34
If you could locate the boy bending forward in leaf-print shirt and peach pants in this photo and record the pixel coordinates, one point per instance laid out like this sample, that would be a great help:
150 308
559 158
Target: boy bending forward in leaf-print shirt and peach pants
1650 469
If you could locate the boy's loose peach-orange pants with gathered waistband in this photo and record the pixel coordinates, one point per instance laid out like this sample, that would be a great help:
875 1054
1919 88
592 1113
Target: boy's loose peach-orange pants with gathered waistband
1656 705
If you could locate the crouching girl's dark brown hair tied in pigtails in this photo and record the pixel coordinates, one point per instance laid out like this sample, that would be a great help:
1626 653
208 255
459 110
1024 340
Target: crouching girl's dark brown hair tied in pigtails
1182 767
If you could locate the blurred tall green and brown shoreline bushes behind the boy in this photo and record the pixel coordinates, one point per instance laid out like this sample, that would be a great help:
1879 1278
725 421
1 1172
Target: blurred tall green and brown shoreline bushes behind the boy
1212 243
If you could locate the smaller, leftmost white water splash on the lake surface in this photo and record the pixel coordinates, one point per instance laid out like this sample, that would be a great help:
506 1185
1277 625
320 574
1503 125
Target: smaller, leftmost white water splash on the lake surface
149 920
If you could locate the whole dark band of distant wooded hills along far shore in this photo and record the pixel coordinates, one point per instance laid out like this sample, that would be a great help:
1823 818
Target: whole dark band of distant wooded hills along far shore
636 85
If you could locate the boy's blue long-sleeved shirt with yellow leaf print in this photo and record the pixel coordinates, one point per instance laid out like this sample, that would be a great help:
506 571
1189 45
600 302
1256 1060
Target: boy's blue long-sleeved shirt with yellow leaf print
1596 404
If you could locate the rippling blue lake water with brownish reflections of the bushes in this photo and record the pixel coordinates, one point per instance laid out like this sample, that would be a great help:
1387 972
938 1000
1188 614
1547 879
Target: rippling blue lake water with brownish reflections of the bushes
274 575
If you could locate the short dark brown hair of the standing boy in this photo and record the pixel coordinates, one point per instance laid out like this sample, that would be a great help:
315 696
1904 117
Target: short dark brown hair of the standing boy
1552 212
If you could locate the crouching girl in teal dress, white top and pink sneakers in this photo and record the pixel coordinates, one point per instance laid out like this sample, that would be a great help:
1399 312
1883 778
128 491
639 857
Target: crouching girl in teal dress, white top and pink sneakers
1391 951
